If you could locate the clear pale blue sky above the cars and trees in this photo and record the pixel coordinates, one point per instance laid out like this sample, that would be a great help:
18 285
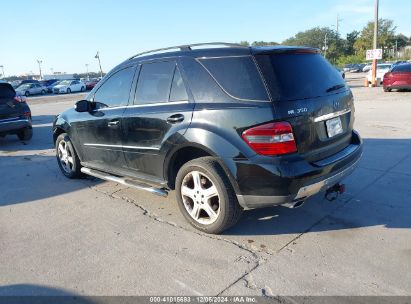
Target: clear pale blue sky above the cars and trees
65 35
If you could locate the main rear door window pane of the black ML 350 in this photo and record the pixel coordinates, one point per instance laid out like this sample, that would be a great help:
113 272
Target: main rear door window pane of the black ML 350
154 82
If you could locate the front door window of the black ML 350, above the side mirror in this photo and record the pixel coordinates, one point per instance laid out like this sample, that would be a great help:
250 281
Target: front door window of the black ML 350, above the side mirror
115 91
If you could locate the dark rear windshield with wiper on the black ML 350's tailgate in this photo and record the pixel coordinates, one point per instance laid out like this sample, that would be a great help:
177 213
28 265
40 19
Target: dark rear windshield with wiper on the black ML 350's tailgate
293 76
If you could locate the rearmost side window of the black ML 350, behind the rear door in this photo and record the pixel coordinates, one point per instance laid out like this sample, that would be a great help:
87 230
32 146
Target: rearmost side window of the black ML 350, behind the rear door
238 76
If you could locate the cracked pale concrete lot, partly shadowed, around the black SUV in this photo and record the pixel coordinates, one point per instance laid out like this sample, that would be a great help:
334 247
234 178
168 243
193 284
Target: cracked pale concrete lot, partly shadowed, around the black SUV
89 237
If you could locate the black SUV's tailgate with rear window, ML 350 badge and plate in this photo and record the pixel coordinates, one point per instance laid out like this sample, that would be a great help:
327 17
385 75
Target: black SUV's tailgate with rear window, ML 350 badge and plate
310 94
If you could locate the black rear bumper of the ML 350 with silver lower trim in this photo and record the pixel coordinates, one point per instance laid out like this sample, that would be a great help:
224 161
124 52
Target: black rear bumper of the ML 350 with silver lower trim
293 179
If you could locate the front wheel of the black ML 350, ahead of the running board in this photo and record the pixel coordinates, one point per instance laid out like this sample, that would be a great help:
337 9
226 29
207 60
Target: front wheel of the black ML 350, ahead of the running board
64 151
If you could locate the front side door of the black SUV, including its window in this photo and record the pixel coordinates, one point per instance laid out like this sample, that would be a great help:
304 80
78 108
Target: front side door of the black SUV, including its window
100 130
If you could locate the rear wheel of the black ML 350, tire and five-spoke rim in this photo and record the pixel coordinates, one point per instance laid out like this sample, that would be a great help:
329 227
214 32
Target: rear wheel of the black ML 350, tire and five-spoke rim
216 214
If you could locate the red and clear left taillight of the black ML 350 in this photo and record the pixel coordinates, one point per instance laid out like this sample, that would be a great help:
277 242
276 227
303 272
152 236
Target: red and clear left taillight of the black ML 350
274 138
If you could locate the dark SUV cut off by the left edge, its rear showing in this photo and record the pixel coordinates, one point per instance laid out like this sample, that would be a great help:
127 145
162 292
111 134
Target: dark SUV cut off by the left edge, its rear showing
15 114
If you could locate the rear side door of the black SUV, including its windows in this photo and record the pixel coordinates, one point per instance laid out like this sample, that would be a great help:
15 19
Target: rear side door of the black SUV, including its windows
159 116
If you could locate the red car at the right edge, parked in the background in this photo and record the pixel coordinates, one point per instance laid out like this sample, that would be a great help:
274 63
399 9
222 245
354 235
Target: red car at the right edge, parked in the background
399 77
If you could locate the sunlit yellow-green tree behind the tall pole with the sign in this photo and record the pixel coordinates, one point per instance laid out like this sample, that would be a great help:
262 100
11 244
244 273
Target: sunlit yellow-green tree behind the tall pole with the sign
386 36
